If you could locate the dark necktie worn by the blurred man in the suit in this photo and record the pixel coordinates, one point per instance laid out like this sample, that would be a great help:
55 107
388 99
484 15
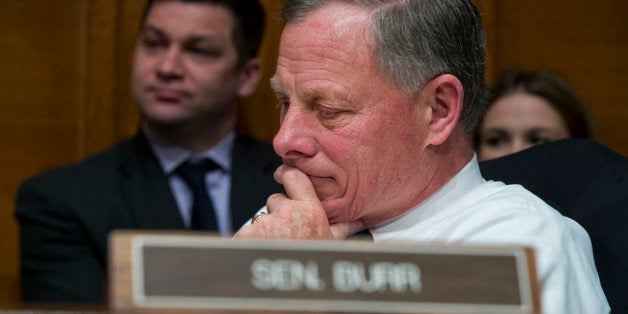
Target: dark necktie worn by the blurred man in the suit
203 216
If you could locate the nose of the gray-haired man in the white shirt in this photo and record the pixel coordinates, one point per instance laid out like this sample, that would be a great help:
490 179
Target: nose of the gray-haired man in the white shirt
295 138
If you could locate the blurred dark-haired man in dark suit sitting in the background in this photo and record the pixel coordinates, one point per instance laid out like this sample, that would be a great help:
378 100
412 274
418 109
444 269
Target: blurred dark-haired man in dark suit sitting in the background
193 59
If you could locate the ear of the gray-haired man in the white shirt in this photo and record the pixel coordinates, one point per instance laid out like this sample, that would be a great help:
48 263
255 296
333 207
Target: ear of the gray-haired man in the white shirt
444 97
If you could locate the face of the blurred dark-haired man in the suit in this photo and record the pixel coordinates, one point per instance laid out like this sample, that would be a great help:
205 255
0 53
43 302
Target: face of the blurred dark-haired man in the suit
186 65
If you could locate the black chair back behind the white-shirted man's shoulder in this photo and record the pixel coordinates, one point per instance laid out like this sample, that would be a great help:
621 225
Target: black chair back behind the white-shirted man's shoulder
588 183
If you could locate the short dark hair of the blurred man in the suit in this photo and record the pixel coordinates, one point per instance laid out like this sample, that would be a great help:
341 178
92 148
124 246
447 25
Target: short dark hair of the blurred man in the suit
248 29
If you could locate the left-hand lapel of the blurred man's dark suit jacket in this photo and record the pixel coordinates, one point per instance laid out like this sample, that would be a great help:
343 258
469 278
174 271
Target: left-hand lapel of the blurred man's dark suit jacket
145 189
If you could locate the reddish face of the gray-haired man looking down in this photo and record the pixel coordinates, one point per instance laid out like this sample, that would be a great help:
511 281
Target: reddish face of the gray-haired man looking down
342 123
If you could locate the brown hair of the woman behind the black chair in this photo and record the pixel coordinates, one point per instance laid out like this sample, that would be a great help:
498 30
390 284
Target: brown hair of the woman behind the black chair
551 87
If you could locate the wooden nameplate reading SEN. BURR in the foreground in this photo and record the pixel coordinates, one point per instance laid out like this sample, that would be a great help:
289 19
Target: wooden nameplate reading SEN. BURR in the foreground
180 271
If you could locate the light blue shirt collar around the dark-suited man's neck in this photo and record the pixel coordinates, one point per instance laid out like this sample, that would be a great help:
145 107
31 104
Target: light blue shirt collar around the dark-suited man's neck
171 156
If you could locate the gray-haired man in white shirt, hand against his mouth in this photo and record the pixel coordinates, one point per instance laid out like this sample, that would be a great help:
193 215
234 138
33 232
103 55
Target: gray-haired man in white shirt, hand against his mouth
379 99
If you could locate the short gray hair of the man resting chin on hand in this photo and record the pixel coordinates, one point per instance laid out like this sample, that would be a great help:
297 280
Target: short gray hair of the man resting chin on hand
418 40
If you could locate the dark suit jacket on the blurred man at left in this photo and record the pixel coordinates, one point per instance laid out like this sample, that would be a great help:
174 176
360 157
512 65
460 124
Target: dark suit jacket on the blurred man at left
66 214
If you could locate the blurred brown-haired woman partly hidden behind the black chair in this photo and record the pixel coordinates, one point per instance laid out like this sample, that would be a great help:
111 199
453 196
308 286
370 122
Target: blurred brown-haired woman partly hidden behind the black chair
530 107
